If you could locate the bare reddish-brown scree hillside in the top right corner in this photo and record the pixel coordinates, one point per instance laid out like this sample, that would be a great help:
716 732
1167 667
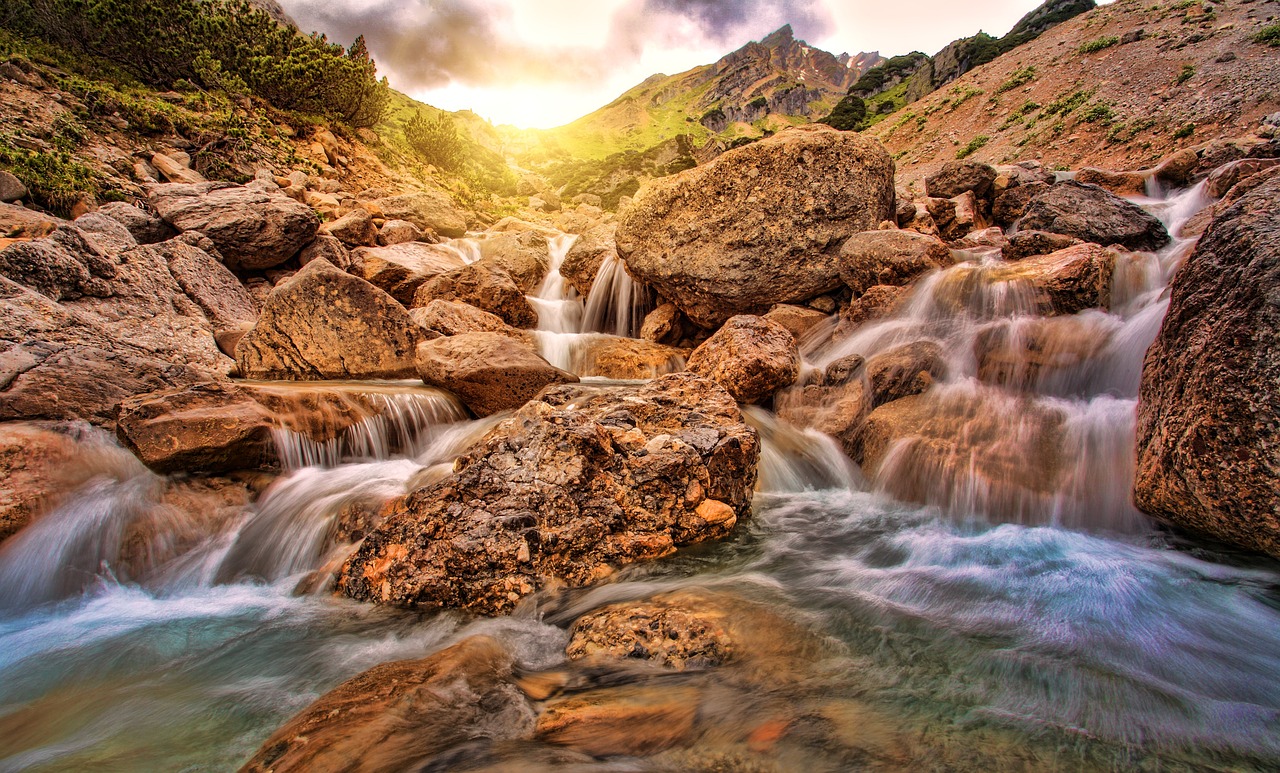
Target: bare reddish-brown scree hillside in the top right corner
1121 86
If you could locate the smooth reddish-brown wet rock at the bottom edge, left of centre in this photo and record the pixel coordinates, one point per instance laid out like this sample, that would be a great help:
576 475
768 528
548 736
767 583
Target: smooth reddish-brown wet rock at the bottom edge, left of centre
400 716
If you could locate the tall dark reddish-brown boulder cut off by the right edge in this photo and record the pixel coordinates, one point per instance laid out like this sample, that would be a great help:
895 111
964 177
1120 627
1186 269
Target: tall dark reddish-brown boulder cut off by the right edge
1209 408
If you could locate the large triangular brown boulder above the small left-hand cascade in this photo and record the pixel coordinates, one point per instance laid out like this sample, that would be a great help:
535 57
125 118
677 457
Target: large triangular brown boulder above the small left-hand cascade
327 324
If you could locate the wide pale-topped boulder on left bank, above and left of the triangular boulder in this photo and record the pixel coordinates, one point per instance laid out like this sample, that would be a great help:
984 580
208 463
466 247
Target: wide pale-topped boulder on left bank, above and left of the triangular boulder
253 227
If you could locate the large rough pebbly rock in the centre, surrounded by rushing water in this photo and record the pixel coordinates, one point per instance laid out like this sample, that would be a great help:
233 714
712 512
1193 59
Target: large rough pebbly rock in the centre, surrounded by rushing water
575 484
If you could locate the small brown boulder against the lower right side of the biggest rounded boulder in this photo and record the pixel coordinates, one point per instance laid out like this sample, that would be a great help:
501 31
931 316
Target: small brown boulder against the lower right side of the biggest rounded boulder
894 258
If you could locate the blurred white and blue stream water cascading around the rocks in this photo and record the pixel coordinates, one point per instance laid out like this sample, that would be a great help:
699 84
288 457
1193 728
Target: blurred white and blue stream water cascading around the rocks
991 624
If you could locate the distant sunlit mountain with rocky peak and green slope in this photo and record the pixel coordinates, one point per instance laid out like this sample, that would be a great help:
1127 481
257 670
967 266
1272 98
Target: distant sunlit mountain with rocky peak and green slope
764 86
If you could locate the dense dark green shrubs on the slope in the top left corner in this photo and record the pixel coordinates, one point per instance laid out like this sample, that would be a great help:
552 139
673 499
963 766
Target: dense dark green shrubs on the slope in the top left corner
222 45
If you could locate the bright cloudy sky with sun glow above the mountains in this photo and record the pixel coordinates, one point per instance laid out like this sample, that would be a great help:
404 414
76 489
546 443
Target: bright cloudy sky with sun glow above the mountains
543 63
